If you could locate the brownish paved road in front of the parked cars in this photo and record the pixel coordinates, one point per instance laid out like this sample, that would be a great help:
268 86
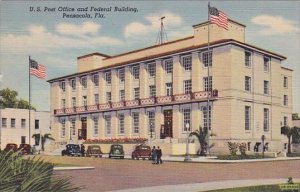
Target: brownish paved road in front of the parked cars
125 174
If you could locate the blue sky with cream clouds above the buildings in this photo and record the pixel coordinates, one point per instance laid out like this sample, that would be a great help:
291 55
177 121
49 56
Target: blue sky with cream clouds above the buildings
55 40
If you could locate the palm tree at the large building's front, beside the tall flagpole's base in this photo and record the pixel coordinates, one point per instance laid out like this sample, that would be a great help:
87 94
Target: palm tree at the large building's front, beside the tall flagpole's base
202 136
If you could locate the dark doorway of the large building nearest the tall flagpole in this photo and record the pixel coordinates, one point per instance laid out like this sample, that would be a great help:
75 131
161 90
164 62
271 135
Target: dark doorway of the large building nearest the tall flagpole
167 127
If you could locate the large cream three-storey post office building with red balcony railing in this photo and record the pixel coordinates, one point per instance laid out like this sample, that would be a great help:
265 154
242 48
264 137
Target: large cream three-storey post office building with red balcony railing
163 92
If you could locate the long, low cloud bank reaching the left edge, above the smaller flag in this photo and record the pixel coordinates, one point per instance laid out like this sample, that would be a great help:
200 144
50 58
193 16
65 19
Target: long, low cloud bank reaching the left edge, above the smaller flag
38 39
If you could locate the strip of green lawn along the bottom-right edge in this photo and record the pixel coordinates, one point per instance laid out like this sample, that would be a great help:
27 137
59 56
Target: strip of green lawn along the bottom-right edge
262 188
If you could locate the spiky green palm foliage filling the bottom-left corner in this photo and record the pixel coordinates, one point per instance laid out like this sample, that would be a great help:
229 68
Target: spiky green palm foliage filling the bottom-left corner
30 174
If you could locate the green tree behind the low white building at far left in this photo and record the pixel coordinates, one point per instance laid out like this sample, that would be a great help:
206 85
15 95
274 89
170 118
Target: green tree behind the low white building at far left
8 98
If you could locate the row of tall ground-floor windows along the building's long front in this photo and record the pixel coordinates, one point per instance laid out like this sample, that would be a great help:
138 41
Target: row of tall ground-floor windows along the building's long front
136 122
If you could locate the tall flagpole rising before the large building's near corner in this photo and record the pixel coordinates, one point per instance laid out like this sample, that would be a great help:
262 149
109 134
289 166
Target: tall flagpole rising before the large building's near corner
208 79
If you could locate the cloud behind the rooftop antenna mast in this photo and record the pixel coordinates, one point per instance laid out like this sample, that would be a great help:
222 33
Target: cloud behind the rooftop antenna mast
152 25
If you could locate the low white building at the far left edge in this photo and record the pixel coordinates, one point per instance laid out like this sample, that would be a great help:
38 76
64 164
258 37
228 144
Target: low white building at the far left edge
15 126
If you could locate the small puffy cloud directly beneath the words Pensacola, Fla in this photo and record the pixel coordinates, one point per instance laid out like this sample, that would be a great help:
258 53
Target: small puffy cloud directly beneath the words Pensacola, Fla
72 29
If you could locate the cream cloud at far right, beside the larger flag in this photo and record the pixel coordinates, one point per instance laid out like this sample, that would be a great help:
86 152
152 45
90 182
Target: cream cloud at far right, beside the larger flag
274 25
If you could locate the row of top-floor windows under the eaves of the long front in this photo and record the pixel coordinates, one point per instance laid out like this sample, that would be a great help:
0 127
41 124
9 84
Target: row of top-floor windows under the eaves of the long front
135 70
